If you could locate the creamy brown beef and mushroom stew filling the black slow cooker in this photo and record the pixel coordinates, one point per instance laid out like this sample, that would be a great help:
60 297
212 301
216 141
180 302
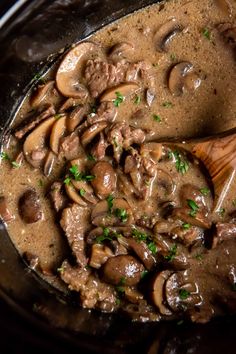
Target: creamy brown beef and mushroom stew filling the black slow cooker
107 189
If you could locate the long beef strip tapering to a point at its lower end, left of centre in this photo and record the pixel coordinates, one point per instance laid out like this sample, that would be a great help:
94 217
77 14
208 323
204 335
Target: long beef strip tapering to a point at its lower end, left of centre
75 221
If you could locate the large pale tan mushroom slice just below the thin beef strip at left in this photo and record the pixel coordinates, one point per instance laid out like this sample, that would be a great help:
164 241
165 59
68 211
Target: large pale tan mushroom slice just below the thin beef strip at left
35 142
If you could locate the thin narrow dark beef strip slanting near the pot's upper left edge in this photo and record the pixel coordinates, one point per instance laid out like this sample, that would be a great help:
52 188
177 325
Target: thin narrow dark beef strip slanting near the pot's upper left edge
33 121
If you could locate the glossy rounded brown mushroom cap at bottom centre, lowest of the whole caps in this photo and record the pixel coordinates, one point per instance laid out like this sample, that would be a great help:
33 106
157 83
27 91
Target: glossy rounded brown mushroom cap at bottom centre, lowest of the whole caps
122 270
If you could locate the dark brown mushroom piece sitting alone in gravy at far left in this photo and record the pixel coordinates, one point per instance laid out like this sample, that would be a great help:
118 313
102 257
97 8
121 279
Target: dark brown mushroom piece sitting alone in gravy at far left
30 207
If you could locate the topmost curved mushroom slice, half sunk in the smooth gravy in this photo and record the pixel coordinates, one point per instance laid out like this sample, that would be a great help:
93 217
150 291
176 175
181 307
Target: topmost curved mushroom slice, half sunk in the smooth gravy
165 33
